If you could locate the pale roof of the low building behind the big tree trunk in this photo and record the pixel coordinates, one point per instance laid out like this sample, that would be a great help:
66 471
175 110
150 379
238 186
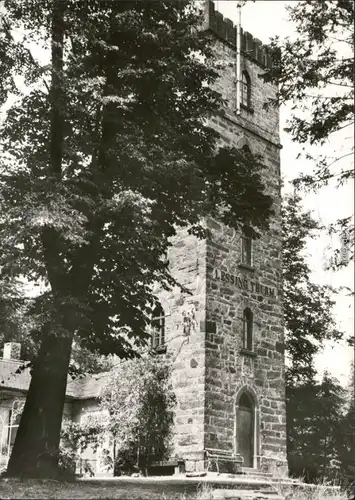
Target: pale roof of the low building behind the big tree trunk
15 375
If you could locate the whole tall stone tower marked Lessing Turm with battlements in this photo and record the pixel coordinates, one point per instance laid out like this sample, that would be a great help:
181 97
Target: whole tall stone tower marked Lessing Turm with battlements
225 338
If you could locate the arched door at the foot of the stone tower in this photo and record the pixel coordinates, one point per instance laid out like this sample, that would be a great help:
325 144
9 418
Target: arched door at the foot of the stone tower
245 415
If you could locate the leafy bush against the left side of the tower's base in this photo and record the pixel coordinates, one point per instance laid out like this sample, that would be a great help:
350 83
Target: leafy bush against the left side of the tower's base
140 404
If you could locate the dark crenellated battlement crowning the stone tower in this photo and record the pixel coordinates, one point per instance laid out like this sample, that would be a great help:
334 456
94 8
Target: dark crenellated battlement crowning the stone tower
250 47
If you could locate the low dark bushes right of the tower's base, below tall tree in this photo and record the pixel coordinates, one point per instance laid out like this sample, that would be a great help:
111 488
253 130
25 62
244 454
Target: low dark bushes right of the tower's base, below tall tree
315 413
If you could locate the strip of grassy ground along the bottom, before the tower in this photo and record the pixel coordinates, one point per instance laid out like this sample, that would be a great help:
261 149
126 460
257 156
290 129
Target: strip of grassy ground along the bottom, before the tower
126 489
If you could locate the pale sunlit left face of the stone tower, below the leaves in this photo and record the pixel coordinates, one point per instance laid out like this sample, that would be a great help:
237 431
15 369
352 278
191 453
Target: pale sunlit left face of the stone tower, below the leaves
185 347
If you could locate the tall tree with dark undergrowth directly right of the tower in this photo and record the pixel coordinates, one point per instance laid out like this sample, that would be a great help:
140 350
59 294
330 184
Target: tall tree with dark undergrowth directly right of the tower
318 425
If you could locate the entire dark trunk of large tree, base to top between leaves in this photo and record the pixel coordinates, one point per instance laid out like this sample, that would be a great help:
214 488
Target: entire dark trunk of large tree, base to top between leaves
35 451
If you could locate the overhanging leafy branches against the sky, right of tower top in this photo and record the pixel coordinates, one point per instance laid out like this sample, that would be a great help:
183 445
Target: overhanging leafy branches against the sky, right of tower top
320 58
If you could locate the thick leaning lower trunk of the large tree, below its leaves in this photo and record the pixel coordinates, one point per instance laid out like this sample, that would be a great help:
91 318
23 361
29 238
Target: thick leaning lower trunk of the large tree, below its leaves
35 451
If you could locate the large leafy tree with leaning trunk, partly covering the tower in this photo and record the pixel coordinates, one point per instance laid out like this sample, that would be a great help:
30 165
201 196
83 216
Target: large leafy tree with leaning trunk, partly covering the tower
105 152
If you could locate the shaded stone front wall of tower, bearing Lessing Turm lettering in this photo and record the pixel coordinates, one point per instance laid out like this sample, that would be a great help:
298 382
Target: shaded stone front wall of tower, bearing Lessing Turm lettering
231 288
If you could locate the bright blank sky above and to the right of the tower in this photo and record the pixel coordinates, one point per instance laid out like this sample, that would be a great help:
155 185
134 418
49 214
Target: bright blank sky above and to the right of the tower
265 19
